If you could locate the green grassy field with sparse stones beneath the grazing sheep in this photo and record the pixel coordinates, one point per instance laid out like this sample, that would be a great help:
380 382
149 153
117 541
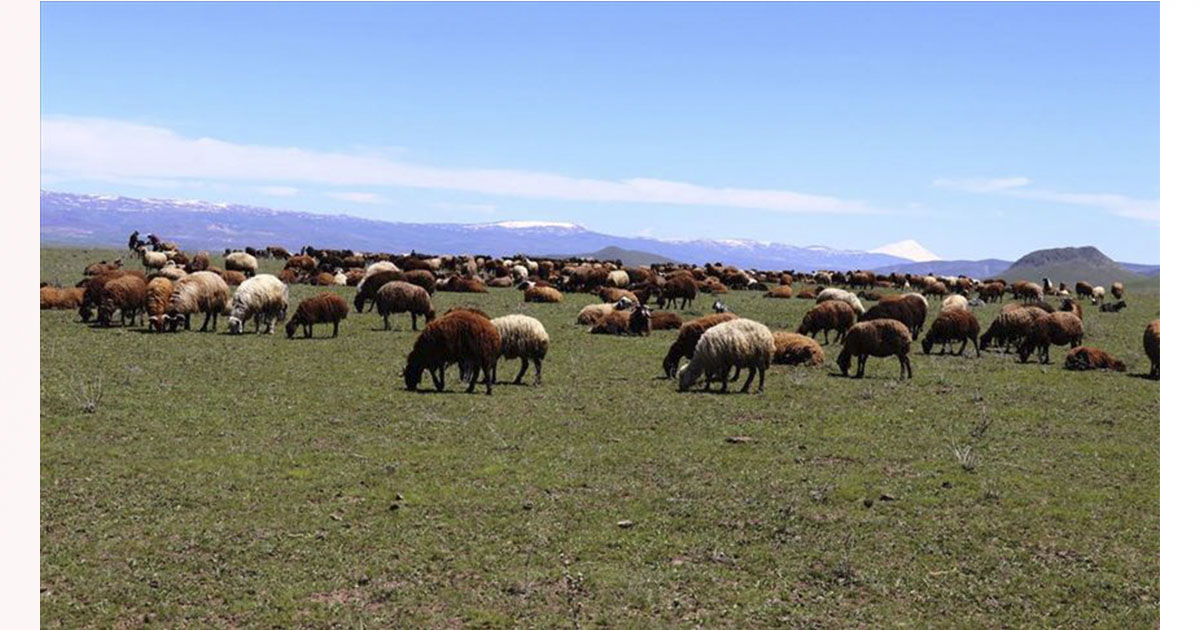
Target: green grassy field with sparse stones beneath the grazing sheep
255 481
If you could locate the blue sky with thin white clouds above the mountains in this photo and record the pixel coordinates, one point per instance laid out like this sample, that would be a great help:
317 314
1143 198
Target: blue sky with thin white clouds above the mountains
980 130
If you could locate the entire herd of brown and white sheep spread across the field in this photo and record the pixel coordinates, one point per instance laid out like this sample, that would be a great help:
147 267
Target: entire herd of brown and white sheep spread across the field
172 287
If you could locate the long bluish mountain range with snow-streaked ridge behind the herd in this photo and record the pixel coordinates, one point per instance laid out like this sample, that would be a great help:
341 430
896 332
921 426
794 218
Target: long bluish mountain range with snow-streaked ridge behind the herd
107 220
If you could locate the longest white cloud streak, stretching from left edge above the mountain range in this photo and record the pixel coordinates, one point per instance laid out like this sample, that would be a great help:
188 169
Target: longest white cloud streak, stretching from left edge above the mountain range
83 148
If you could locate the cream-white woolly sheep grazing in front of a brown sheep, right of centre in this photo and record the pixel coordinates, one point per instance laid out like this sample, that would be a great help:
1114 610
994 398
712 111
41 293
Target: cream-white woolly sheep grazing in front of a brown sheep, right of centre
731 345
